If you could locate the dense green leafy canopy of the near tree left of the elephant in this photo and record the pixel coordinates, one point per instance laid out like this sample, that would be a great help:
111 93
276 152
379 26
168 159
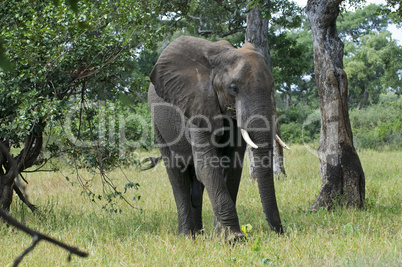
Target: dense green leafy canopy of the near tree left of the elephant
60 58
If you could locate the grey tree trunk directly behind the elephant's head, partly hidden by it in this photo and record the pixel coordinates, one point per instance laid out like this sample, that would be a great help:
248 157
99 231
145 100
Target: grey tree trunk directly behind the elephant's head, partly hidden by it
257 34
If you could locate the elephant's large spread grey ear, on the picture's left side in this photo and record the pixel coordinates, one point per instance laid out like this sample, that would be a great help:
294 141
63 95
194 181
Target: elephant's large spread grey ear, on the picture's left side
182 77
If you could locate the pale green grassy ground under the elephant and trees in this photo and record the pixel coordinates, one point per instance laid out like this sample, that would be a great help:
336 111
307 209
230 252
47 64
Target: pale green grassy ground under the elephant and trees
372 236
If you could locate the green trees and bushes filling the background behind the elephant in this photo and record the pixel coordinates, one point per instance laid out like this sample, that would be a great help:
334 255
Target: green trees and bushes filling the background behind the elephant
94 57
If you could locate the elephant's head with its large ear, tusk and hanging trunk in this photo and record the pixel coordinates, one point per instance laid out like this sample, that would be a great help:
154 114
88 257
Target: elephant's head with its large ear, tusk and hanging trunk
208 80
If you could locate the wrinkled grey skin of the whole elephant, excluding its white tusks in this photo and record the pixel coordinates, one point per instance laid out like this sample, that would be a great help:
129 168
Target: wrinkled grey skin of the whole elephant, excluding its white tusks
201 94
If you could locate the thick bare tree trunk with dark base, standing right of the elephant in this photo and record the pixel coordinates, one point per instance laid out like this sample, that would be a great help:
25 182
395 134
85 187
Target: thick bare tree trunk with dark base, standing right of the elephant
341 171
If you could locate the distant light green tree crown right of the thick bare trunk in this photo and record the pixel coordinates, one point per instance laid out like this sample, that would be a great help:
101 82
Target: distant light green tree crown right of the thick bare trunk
373 66
